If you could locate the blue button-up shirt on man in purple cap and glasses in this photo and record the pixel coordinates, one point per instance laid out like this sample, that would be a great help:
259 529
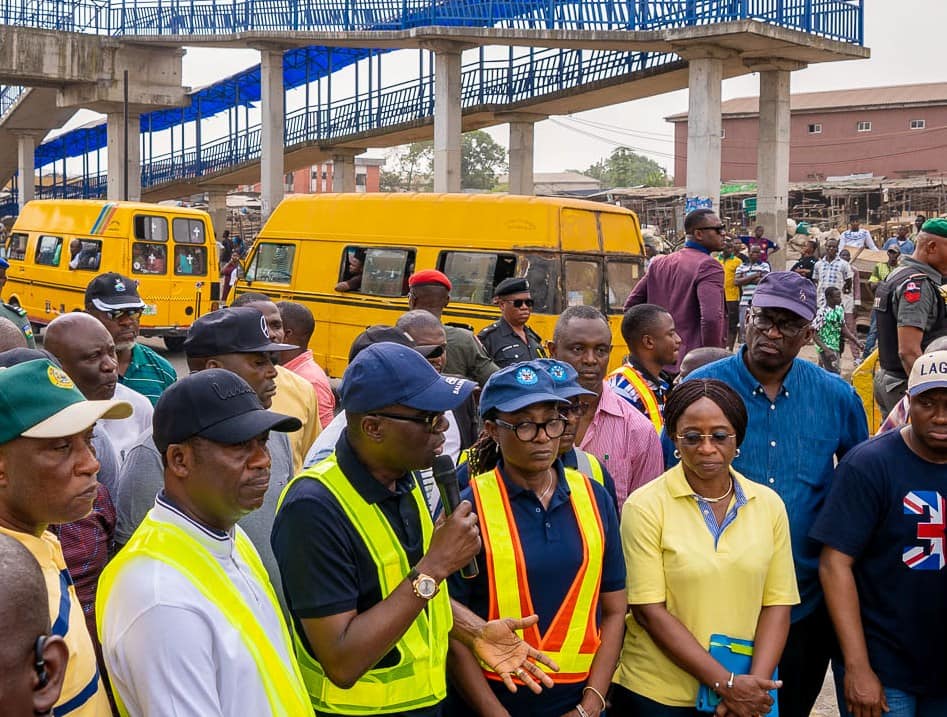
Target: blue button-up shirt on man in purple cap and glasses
791 446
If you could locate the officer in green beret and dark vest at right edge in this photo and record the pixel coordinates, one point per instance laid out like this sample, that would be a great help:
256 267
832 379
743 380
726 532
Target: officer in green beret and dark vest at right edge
910 311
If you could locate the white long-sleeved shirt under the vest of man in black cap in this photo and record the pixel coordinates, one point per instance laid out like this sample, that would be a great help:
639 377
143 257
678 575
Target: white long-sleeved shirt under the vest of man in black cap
169 652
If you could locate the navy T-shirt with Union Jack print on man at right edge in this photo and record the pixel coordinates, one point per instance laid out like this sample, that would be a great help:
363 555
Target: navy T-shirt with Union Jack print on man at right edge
887 509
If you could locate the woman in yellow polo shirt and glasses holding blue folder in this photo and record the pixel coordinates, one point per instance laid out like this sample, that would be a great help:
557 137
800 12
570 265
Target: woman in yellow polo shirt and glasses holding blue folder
707 552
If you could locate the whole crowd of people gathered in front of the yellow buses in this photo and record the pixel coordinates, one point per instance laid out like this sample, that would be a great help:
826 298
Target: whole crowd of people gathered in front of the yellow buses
695 531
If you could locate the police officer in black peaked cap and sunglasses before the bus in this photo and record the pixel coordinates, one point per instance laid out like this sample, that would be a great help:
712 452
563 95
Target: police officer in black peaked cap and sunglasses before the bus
509 340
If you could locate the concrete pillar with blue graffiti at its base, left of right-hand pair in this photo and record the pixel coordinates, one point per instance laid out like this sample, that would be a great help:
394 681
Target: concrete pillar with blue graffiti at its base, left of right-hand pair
705 75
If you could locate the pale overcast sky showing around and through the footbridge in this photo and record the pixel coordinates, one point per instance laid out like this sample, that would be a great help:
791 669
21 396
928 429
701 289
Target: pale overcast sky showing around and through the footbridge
905 39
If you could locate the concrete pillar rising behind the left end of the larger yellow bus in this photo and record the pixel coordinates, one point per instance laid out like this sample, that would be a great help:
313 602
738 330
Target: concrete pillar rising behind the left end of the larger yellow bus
272 135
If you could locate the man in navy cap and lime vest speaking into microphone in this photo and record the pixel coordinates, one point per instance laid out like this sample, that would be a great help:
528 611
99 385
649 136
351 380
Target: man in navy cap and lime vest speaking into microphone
362 565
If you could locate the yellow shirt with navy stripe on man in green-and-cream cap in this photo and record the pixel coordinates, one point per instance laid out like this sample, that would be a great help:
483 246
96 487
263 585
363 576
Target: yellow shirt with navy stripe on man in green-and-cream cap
83 694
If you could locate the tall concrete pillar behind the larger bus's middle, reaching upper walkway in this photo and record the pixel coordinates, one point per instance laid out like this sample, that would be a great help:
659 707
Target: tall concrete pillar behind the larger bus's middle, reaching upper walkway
447 118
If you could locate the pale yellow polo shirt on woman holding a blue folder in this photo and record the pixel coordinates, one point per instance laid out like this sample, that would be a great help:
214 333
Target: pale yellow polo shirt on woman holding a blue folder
671 558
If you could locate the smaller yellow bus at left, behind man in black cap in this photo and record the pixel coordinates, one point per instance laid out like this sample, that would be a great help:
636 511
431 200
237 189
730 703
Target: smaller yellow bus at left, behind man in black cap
57 246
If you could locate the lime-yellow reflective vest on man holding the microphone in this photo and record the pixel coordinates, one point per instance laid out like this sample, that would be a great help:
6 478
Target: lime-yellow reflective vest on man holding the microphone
419 679
